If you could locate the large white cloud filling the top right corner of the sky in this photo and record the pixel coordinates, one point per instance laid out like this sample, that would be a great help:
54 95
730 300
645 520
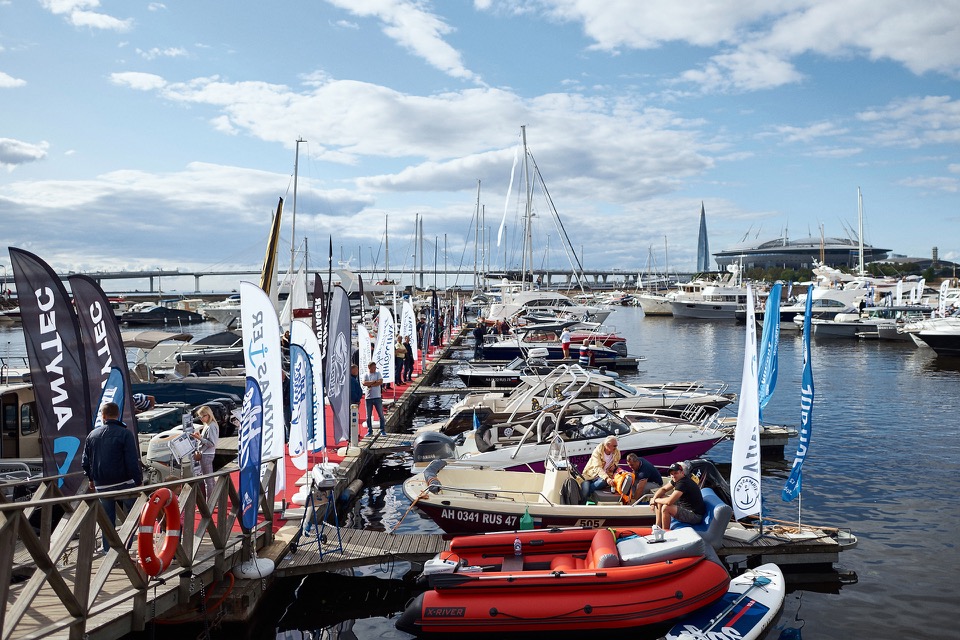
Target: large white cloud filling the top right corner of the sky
762 39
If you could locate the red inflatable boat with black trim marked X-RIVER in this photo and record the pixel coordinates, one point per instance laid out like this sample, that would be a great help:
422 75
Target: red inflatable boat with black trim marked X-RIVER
564 579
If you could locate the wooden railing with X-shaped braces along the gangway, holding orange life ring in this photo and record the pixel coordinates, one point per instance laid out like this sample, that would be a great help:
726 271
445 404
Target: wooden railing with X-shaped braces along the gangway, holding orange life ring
53 577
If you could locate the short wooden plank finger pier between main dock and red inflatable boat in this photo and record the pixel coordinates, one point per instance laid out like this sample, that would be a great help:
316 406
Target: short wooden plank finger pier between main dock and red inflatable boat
359 548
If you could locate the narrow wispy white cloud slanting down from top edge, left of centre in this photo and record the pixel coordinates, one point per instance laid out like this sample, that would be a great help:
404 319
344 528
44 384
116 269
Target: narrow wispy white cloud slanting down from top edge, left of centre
413 28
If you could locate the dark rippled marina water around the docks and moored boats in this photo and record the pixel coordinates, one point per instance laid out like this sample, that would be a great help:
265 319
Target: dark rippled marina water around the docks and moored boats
884 461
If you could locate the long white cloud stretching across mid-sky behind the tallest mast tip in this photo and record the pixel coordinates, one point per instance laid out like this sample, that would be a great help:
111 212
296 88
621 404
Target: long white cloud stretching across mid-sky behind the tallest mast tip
444 141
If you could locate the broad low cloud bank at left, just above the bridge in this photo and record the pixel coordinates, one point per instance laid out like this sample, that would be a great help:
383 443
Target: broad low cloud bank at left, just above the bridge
160 206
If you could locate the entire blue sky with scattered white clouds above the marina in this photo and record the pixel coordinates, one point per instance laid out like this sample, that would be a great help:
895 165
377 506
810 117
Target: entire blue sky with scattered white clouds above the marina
142 135
